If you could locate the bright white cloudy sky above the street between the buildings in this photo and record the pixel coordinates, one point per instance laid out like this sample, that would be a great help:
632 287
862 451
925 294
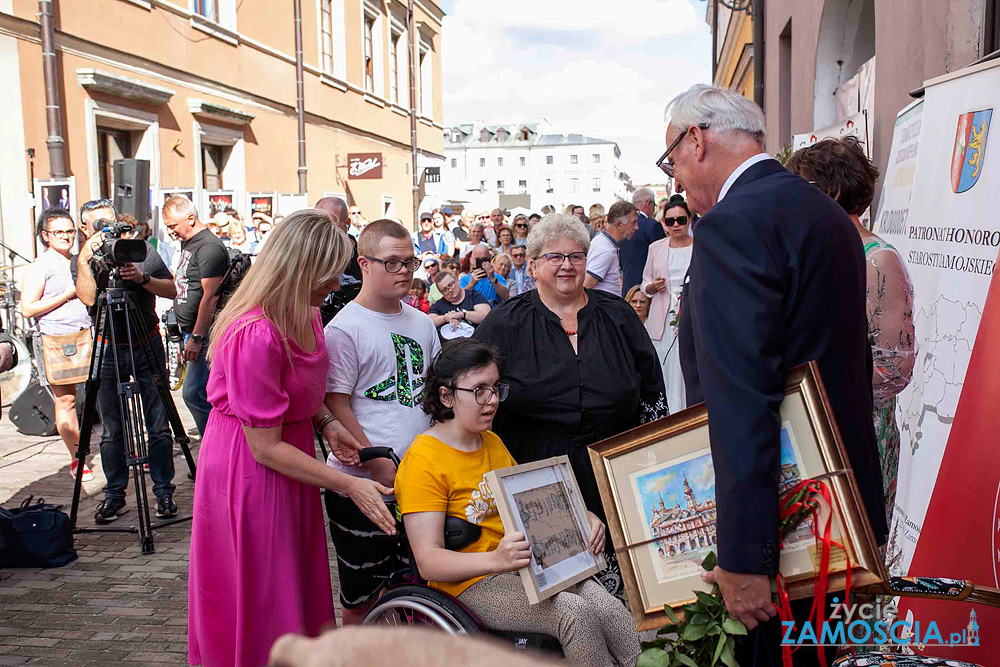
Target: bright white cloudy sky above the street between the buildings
602 69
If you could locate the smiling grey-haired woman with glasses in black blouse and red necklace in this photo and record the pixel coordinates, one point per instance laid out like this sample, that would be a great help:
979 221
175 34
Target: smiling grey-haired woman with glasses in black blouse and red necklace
579 363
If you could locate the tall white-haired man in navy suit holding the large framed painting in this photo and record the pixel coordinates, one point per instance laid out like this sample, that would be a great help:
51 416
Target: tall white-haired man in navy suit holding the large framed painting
777 279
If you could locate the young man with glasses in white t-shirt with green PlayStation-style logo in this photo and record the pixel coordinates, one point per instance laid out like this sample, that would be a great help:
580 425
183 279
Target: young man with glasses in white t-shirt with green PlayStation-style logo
379 352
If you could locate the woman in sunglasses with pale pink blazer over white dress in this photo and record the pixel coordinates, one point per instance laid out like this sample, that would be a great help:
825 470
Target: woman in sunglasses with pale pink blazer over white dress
662 280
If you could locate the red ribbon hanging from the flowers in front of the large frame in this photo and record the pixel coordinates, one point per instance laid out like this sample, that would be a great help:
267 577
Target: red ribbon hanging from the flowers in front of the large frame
812 487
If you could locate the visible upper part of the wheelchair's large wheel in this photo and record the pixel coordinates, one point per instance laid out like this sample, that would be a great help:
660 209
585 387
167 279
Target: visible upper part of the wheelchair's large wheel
421 606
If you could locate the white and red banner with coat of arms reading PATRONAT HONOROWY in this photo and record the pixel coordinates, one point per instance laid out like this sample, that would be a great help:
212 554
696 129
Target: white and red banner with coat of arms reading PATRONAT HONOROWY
949 236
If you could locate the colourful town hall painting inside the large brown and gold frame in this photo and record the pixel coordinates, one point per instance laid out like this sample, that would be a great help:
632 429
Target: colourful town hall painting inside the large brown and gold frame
677 501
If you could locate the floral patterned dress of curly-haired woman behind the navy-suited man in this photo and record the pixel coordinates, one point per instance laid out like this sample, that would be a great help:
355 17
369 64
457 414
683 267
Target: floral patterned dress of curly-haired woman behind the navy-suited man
890 332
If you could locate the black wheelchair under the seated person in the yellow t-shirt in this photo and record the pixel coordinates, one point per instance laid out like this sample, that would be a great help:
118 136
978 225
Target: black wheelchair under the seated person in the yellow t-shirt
407 600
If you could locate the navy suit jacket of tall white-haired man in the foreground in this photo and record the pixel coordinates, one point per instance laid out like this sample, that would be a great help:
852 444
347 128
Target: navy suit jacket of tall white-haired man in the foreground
777 279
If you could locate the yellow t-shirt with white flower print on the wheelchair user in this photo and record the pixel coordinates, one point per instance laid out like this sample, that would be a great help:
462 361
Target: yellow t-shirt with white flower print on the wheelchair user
435 477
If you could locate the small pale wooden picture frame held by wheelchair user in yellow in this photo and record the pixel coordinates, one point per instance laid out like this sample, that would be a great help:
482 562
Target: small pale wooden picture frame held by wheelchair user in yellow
560 532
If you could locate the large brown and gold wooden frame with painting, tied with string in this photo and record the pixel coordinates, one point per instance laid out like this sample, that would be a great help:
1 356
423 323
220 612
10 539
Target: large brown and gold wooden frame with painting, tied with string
661 542
